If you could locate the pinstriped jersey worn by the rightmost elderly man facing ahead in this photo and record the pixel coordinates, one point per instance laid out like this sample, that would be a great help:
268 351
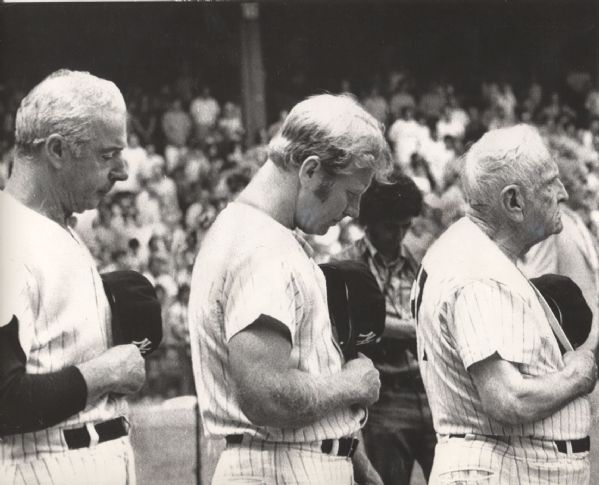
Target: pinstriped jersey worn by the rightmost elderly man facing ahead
470 302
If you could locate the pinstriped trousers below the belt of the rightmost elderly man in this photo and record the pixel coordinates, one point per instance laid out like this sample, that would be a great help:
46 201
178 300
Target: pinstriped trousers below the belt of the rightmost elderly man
511 461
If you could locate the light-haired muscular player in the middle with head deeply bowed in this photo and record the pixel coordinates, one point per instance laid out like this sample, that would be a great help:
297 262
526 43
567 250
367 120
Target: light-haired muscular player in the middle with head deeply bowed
270 377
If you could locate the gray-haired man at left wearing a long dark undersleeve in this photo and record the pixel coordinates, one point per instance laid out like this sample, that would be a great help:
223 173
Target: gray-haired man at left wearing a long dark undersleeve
62 412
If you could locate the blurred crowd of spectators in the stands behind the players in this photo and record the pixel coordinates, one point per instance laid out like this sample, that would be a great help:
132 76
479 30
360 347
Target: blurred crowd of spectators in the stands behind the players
188 156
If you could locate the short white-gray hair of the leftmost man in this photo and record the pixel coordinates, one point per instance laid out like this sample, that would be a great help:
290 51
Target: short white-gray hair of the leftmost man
66 103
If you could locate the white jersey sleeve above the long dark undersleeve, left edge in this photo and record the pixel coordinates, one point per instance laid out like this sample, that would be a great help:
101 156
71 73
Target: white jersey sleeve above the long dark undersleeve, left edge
18 299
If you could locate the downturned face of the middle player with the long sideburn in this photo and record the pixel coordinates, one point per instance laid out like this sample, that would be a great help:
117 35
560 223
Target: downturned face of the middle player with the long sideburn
326 201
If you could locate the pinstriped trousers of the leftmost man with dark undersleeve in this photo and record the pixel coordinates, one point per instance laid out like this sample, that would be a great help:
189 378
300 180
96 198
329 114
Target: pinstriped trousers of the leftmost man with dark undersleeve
108 463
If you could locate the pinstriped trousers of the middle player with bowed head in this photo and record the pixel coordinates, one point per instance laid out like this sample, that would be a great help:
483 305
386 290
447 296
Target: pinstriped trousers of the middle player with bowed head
266 463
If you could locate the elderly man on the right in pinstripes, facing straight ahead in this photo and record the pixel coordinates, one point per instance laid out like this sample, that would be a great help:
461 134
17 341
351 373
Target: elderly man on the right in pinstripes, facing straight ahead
508 395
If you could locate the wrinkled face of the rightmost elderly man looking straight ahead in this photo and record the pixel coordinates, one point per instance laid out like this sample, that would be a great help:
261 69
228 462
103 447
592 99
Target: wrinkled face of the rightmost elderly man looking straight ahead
543 215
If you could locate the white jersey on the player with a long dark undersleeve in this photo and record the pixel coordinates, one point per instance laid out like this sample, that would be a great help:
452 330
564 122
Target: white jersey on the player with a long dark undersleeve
50 283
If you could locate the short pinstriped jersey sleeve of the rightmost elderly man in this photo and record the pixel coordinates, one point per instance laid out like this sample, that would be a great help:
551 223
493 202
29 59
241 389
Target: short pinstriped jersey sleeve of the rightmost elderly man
489 319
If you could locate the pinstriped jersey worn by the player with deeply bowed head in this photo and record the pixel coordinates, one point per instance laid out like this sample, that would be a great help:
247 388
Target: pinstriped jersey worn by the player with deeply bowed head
249 265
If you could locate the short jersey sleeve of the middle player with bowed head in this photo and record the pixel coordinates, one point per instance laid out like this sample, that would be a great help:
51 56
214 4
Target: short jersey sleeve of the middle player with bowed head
262 284
